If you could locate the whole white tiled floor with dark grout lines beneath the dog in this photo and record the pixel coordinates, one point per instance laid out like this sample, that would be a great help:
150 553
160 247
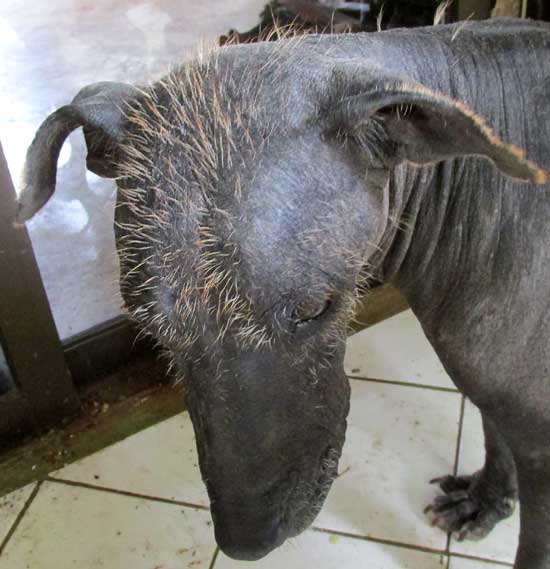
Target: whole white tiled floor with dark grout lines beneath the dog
141 504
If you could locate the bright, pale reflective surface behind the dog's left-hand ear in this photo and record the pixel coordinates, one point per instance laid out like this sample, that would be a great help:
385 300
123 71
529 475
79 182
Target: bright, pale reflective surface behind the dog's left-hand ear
49 50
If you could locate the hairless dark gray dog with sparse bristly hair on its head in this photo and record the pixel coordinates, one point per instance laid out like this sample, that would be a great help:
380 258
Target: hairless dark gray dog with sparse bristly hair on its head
360 166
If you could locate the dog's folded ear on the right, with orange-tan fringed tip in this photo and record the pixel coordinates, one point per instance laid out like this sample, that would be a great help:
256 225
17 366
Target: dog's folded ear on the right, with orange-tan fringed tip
397 120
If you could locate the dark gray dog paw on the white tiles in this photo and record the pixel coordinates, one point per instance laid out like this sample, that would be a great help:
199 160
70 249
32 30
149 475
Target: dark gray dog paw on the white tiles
464 510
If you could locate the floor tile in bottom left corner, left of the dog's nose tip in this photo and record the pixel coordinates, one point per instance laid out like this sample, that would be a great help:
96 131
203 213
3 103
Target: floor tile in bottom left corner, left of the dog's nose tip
68 526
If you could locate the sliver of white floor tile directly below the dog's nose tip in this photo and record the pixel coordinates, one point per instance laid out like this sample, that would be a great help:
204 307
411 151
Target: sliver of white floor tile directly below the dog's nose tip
323 551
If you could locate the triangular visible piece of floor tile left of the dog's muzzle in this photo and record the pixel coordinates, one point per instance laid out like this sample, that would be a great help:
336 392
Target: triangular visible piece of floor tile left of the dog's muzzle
160 461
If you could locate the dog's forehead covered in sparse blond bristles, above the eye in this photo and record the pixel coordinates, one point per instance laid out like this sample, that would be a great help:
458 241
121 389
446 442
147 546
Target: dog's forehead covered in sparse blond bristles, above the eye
228 227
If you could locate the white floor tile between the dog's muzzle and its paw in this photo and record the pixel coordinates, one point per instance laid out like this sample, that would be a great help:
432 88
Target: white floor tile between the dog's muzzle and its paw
398 439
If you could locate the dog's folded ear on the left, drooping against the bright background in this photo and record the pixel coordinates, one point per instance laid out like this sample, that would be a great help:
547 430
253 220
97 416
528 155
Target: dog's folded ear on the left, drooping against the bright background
100 109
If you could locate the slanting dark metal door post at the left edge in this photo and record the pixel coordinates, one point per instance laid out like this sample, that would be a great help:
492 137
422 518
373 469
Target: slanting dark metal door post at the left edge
44 390
